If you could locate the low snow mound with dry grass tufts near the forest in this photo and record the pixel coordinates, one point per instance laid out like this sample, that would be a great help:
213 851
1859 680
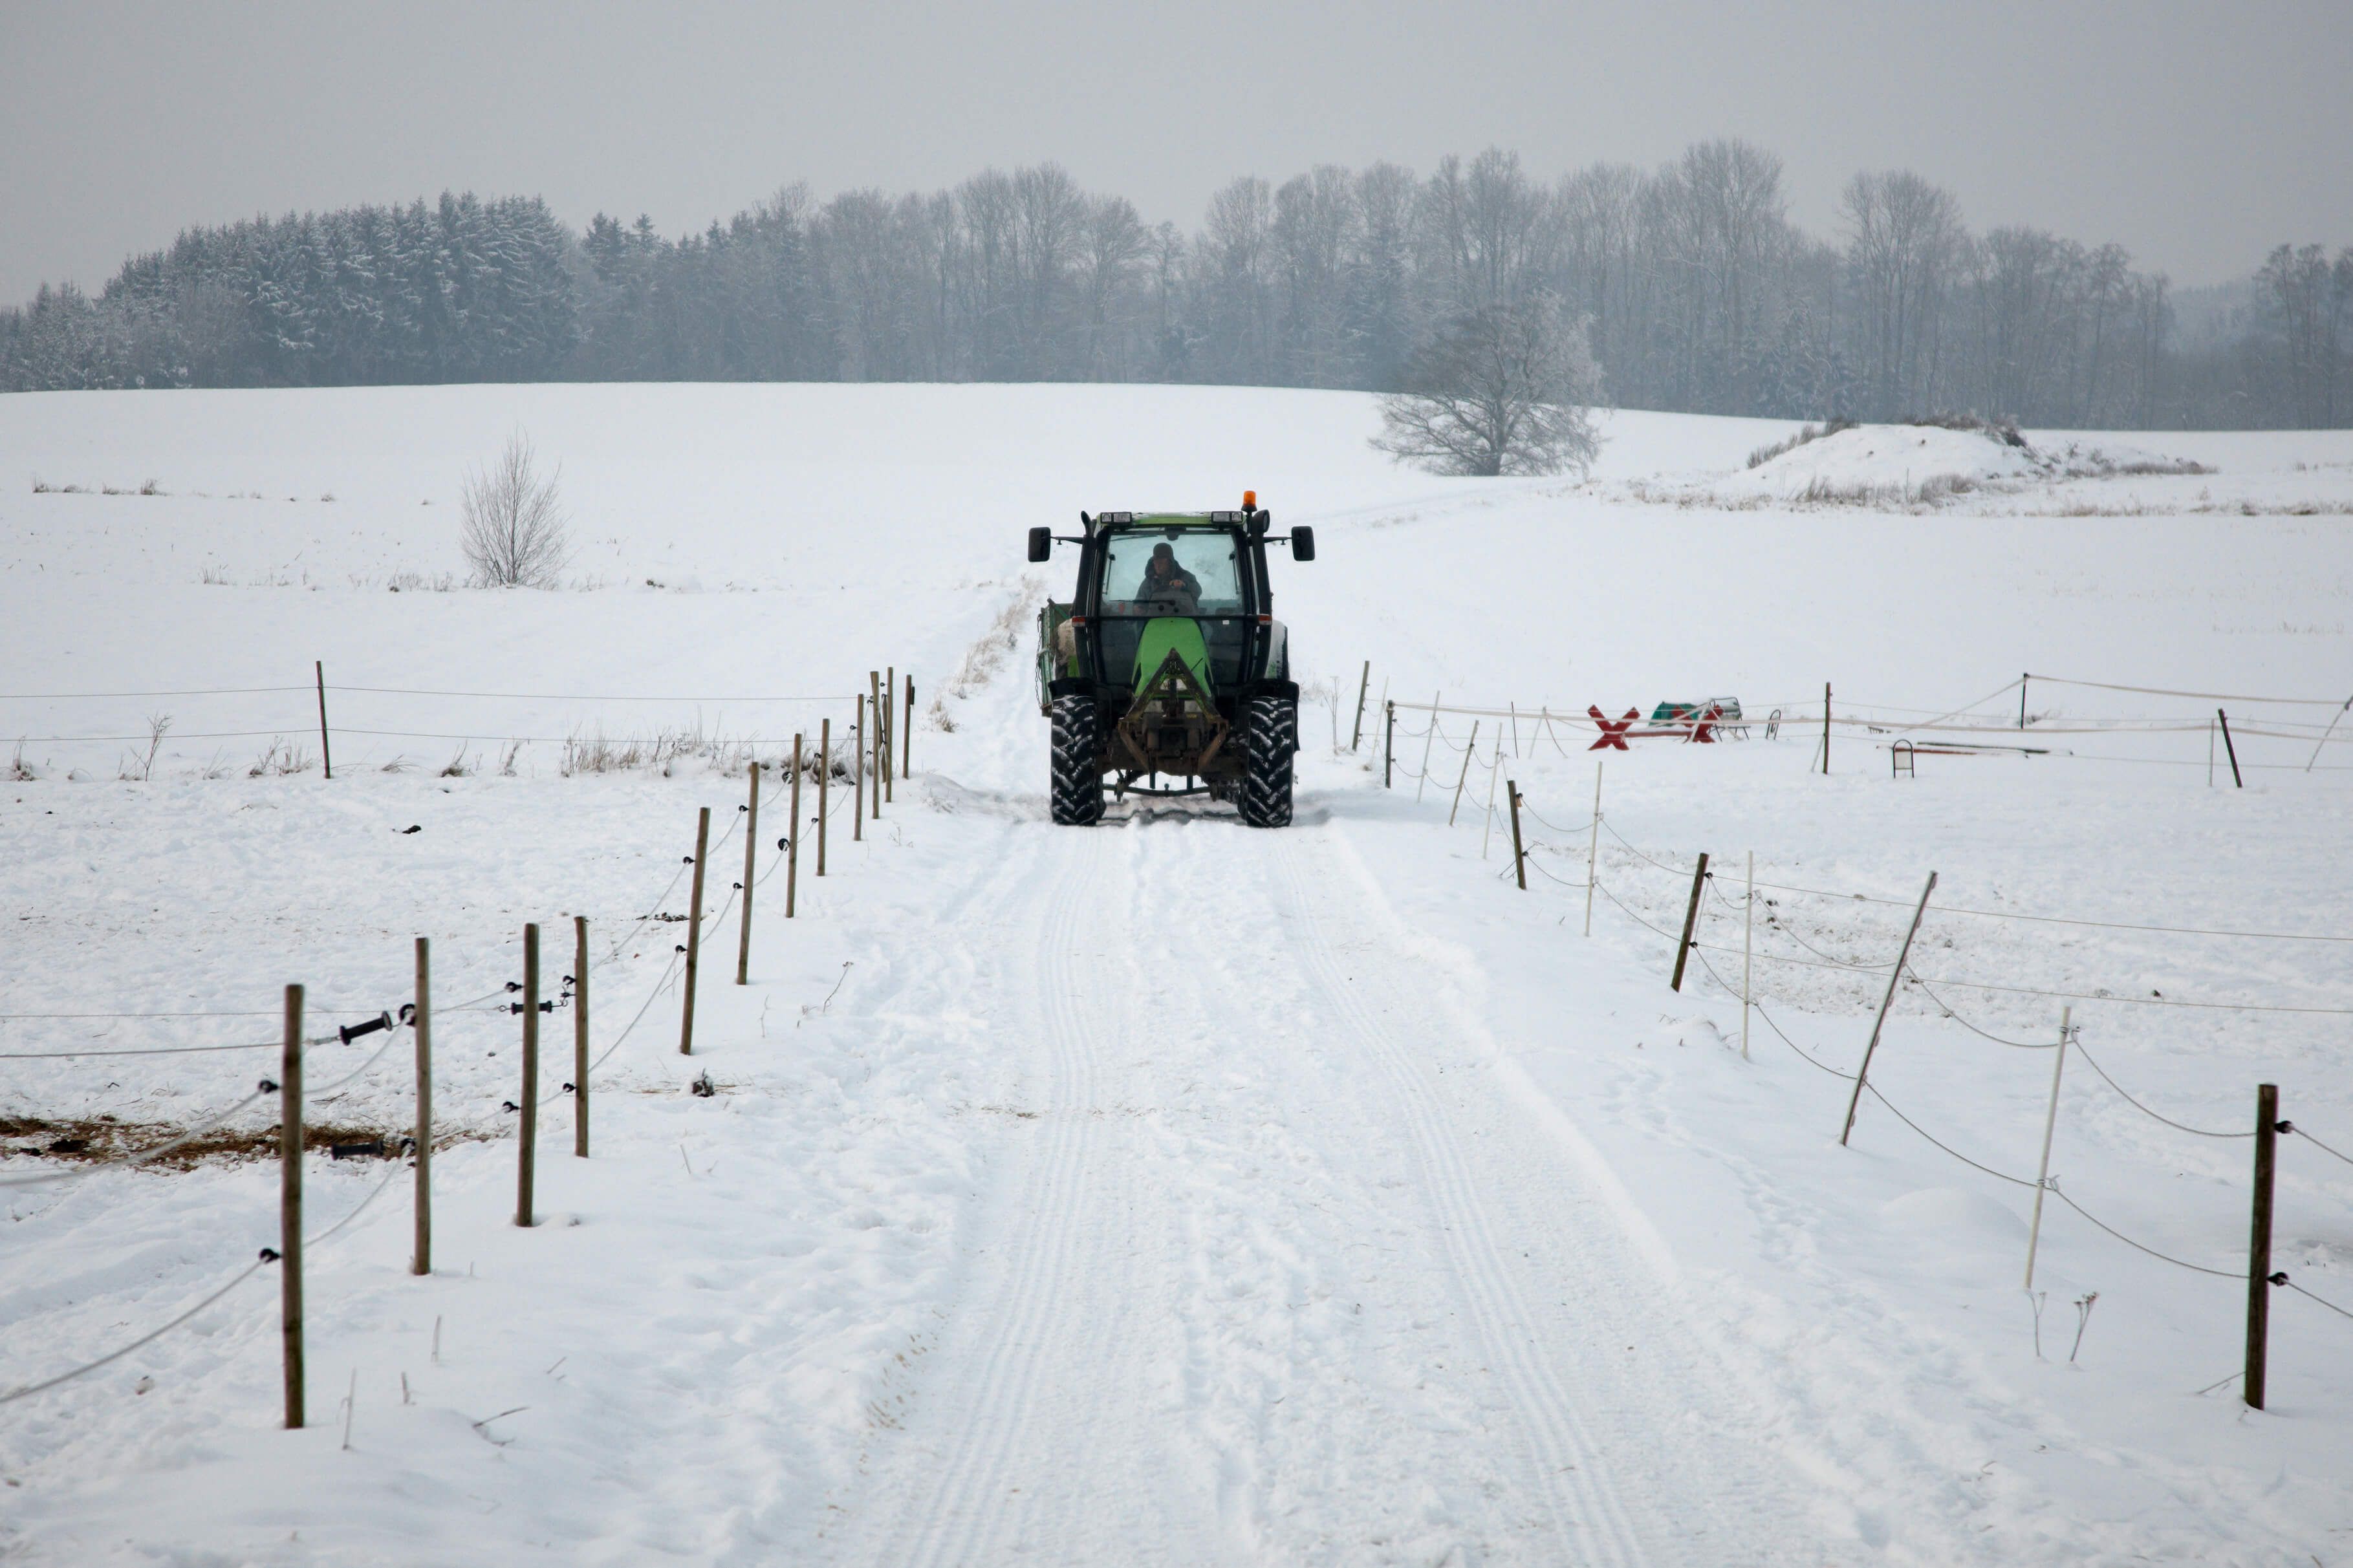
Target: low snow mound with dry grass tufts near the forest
1879 464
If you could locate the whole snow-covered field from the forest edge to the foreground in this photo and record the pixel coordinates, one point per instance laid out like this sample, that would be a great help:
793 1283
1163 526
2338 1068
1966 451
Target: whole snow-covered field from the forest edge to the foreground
1178 1193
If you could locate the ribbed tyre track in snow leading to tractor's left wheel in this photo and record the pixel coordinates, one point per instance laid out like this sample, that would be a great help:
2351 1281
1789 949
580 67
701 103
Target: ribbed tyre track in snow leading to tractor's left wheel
1044 1433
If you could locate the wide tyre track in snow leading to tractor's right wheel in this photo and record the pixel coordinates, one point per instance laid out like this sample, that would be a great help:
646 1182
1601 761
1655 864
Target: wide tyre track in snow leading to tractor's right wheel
1677 1461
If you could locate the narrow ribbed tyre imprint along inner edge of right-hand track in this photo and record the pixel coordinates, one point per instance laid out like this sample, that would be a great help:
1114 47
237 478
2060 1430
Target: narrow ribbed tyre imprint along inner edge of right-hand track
1589 1510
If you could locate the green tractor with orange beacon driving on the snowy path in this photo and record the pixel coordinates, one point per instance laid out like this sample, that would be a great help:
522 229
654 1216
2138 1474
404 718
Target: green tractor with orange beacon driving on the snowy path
1171 664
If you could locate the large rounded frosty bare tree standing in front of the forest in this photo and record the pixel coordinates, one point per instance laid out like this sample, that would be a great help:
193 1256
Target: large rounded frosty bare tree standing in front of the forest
1500 391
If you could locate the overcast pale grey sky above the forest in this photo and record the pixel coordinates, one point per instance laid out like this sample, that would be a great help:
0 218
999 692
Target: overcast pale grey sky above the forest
2197 135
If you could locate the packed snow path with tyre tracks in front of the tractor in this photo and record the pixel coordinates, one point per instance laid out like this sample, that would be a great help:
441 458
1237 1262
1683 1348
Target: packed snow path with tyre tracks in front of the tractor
1281 1271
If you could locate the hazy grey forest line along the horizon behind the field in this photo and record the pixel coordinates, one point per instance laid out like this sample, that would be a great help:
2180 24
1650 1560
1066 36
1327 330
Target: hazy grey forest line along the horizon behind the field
1695 288
